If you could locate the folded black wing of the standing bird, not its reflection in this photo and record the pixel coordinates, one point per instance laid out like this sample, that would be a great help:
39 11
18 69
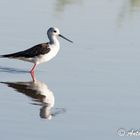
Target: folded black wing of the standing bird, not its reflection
39 49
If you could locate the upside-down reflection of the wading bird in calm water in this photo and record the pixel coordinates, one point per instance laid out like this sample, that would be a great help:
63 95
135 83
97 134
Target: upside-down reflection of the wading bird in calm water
40 94
